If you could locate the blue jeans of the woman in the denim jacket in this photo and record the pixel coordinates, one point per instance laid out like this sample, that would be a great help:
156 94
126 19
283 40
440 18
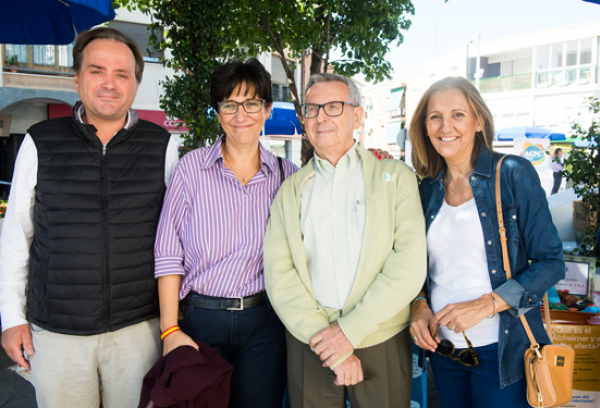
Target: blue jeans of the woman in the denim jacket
460 386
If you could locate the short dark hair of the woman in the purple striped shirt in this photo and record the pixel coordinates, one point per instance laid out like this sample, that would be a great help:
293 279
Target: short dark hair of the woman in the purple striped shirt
235 73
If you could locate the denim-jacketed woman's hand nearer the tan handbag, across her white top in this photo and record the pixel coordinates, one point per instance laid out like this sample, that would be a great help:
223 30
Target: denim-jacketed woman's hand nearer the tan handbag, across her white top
461 316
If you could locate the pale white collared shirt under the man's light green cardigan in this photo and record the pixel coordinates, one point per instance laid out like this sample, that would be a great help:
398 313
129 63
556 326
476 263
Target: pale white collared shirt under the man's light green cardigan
332 219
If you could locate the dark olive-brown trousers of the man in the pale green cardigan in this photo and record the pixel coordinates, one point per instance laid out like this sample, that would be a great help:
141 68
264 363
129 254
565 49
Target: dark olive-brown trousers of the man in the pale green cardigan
387 369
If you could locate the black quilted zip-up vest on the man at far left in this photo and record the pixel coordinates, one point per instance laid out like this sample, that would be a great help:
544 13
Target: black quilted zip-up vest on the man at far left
91 264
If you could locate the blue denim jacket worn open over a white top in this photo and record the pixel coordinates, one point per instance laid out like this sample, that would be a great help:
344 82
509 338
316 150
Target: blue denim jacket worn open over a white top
531 237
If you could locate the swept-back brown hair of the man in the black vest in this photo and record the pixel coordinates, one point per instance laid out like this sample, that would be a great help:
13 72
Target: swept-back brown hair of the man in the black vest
107 33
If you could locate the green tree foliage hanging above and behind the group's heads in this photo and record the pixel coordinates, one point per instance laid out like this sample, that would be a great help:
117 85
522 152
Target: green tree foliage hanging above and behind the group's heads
202 33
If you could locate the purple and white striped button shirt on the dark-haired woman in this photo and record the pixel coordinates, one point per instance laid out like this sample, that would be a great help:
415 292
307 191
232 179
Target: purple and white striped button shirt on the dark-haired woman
211 227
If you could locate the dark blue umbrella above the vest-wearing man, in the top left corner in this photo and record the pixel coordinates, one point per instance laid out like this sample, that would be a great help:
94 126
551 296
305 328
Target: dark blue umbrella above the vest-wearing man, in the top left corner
50 21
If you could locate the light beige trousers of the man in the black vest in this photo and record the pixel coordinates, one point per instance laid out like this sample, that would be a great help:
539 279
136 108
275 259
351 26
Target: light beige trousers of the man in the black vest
66 369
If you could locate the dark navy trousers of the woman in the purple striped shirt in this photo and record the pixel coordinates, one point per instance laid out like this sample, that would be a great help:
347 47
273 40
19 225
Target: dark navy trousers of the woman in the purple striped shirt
253 341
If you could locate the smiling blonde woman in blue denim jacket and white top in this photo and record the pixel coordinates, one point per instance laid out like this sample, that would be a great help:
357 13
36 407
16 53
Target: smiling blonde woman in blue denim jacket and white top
468 292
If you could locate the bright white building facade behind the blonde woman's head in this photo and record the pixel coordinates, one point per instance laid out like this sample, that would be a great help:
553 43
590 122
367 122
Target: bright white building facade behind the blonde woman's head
539 78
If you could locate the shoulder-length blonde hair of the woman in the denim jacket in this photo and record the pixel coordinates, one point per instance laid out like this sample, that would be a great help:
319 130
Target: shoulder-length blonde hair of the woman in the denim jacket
426 160
